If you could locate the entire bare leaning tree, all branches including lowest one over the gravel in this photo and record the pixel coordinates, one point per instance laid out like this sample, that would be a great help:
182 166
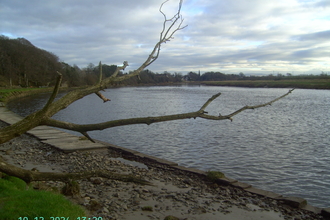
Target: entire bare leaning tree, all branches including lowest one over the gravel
43 116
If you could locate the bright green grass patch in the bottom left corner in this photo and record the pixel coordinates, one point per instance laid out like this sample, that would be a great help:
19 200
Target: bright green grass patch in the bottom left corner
18 200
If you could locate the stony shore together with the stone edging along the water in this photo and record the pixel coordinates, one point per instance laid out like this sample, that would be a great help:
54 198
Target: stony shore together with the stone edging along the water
175 184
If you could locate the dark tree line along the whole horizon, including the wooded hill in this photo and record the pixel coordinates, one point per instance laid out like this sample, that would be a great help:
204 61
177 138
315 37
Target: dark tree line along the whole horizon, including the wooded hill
22 64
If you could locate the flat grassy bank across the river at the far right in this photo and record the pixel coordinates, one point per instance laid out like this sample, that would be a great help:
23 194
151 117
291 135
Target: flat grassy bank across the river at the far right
285 83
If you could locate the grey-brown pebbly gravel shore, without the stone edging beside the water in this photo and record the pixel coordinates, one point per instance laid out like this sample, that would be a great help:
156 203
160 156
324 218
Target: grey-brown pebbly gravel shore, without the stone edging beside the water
175 193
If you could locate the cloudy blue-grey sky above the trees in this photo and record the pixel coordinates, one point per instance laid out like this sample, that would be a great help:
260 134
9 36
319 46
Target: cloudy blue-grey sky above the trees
231 36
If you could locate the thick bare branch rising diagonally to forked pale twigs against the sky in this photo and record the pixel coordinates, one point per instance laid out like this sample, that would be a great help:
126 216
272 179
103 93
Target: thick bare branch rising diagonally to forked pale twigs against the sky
52 107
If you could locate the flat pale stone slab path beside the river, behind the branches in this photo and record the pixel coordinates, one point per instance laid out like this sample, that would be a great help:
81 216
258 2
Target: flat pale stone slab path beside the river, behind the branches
54 137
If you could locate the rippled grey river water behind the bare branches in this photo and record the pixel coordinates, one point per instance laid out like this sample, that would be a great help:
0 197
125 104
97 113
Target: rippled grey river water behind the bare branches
282 148
